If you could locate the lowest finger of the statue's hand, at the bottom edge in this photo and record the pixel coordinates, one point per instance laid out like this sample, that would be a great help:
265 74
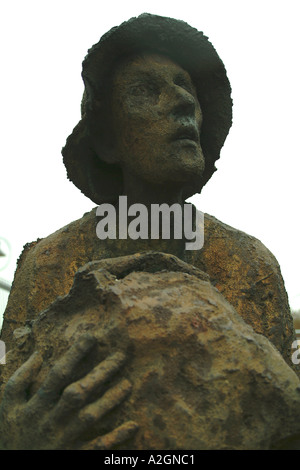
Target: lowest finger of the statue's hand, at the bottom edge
119 435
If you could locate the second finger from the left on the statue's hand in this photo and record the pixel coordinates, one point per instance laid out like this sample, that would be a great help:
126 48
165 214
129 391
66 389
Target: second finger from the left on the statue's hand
63 371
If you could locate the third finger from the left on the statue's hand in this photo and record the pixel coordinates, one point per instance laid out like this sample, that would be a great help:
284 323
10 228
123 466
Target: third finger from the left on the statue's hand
79 393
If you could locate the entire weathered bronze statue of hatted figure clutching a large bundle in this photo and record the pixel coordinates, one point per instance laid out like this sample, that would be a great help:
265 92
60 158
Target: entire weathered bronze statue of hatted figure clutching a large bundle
141 344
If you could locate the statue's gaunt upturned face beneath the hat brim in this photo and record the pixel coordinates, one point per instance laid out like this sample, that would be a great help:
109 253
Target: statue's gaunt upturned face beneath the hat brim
156 120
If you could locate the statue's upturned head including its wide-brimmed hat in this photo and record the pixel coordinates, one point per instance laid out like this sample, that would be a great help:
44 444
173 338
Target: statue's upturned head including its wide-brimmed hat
156 107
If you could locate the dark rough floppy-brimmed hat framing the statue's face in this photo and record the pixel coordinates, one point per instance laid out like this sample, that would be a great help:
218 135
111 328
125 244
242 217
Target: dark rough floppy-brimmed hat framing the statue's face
189 48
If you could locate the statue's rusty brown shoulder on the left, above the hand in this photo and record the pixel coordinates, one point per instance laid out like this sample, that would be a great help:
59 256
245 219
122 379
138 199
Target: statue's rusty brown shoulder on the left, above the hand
46 269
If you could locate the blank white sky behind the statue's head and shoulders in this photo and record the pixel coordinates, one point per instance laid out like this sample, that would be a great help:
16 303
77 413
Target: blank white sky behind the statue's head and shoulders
256 187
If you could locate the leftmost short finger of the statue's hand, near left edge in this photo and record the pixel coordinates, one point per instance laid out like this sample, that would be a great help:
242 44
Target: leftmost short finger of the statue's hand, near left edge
17 386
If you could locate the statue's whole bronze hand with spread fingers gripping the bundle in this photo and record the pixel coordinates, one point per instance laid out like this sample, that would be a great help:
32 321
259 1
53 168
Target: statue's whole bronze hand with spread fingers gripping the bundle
60 412
